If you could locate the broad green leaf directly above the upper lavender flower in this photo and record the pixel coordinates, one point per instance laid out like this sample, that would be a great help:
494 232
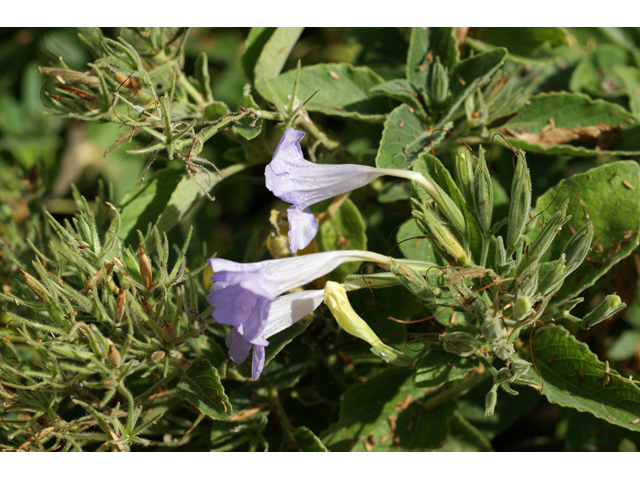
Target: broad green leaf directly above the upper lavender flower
344 90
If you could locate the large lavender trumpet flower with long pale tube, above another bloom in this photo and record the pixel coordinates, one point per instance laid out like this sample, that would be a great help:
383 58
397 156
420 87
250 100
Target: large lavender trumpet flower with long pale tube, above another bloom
242 293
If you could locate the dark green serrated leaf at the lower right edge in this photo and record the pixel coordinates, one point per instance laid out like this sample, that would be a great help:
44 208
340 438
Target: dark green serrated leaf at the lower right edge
574 377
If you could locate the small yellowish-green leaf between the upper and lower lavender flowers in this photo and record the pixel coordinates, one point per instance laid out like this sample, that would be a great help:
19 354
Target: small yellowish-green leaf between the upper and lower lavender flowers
343 230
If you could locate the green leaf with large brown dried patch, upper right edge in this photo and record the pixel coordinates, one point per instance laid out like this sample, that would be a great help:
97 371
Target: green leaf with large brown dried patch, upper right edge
573 111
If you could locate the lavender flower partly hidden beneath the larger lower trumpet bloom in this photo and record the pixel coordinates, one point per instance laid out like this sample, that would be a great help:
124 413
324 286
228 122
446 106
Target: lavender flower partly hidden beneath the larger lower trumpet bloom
284 312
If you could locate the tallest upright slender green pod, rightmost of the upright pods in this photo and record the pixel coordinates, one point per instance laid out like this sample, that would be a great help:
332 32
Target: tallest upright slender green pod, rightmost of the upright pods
520 204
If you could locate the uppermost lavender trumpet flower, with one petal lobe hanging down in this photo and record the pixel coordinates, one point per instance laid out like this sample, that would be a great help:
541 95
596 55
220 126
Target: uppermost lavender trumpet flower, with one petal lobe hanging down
302 183
